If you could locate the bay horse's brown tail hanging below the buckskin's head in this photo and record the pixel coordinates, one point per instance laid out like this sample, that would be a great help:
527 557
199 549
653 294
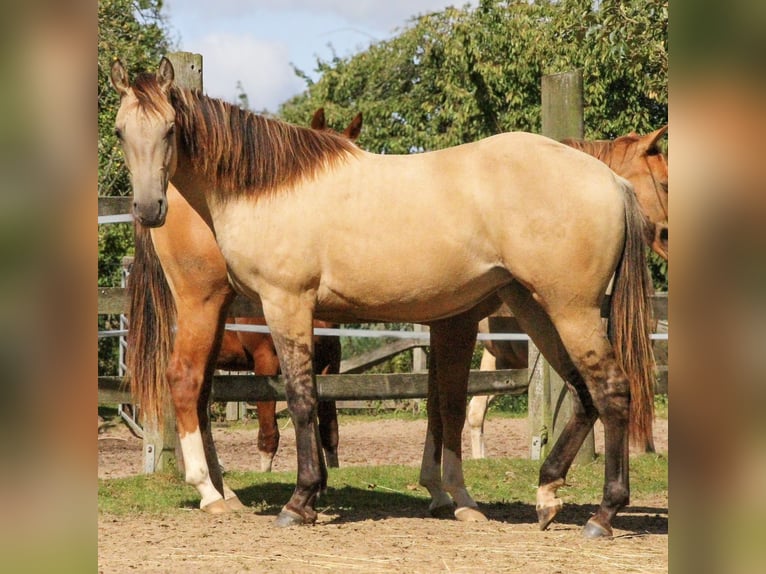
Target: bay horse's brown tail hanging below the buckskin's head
150 329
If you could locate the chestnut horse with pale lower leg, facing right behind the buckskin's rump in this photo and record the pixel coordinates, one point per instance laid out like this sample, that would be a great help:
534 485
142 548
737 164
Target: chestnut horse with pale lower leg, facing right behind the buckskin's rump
639 160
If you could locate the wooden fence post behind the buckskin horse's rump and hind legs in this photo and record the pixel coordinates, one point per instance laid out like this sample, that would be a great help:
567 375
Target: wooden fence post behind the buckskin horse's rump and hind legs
550 406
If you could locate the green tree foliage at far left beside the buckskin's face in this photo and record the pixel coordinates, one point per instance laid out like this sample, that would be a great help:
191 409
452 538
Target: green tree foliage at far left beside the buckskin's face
135 32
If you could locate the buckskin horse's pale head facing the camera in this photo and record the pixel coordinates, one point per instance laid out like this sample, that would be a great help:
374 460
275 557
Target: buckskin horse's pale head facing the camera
145 126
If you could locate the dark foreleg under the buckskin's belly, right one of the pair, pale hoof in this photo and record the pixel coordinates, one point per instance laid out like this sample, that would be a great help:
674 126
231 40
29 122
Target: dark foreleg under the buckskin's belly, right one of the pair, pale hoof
452 344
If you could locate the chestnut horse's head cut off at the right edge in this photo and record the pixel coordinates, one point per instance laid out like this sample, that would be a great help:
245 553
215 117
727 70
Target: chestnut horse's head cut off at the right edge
642 162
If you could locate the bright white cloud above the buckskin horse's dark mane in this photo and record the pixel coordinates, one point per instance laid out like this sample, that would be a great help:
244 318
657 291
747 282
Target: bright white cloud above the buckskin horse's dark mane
262 68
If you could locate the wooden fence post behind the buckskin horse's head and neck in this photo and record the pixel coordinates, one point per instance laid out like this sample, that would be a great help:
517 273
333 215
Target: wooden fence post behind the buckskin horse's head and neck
161 448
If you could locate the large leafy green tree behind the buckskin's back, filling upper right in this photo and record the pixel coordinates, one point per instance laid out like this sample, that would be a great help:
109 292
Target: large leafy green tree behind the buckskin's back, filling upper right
462 74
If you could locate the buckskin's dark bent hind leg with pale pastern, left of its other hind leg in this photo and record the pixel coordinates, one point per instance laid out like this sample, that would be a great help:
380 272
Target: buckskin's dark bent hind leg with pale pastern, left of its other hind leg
535 321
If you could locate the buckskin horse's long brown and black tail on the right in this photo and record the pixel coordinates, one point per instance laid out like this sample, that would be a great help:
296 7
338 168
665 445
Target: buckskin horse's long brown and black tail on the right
630 320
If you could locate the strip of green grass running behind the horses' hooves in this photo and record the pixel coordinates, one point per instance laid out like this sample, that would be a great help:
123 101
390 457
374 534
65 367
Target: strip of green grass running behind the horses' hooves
382 491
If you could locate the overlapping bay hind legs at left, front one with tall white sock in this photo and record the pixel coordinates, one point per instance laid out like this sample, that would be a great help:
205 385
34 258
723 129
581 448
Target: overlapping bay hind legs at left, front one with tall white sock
189 375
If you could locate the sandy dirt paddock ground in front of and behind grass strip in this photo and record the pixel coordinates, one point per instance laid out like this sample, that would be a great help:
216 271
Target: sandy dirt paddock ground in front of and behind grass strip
190 541
